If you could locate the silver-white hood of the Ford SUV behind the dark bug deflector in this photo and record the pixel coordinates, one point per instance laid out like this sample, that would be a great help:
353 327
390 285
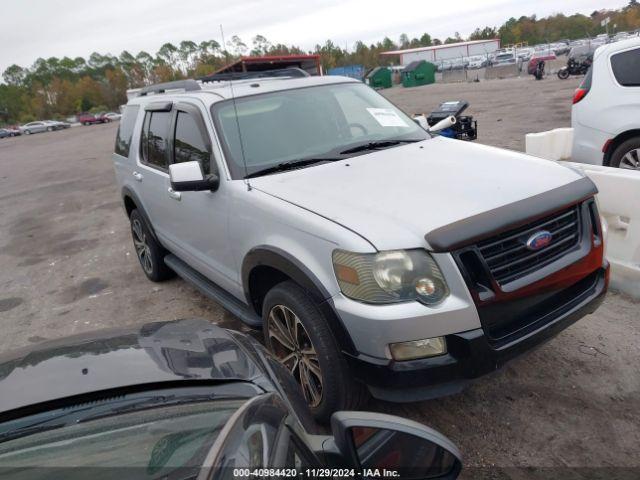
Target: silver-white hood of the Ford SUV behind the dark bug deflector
394 197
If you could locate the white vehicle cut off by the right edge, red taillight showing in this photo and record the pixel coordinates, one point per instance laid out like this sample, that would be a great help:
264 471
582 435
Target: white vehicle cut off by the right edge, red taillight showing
606 108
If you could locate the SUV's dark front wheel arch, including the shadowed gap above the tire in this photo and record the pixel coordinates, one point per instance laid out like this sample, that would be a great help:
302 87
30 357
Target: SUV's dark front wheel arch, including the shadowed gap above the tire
266 266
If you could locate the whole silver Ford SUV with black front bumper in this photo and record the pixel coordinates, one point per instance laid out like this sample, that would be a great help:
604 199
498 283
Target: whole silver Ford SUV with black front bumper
377 258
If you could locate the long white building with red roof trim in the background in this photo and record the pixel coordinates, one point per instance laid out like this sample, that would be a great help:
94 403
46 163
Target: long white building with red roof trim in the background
437 53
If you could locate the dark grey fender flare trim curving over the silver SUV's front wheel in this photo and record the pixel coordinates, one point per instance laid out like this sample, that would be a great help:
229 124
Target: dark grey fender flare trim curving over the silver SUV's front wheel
265 255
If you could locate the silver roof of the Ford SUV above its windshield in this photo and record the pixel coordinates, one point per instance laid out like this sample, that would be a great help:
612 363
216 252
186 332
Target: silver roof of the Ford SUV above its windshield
216 92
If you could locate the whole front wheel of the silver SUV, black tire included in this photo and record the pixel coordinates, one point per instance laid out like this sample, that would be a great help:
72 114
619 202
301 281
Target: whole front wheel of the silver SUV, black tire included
328 369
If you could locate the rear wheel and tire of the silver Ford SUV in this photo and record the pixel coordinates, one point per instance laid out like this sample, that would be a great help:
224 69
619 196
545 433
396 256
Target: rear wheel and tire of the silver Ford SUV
149 252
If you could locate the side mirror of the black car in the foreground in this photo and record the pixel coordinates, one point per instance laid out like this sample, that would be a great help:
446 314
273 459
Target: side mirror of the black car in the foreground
374 443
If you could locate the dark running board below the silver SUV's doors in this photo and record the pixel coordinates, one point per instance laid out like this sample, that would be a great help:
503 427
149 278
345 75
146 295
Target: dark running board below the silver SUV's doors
213 291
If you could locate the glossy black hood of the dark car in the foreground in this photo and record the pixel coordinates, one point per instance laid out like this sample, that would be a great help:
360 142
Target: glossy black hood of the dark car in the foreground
108 359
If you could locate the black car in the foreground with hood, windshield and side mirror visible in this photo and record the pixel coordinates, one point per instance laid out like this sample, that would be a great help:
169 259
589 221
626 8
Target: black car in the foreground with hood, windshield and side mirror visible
190 399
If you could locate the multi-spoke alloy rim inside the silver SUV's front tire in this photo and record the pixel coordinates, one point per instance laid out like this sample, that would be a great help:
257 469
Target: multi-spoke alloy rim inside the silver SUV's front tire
291 344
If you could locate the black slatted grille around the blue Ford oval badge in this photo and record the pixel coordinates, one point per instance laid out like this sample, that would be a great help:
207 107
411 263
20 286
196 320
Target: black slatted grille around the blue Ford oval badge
508 257
